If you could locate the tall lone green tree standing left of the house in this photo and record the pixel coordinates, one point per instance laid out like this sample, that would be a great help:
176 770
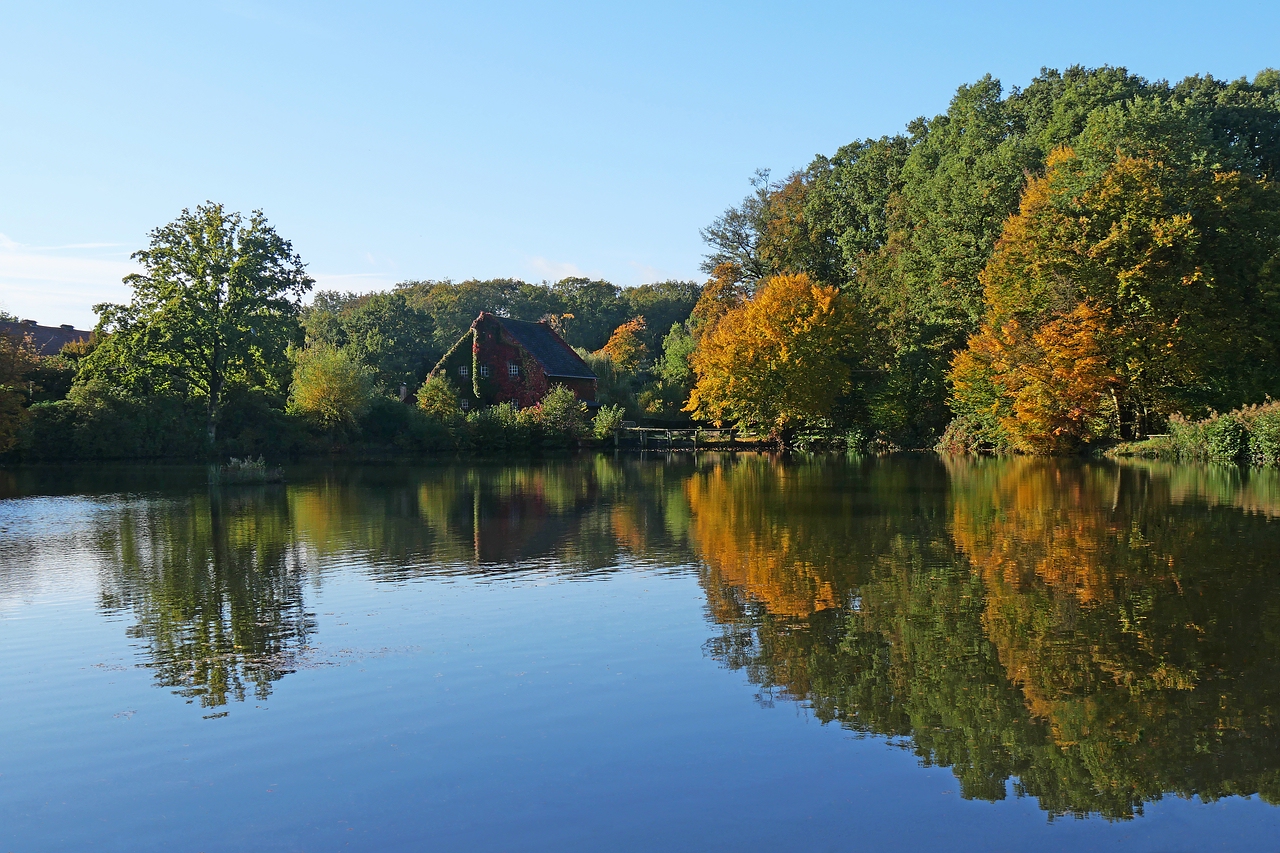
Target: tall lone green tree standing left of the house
216 307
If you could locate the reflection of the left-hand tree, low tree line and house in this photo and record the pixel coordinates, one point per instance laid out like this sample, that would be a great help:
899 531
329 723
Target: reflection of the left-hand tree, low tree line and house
214 581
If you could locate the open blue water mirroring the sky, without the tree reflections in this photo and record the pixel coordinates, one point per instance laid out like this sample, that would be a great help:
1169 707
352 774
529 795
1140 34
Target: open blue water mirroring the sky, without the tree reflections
446 711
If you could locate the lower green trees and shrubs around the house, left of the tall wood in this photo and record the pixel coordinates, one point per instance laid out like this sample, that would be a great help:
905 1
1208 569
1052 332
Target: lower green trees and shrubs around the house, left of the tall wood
218 353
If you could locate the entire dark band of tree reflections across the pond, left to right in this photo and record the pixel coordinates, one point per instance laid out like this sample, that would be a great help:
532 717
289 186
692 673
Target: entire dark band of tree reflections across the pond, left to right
1095 636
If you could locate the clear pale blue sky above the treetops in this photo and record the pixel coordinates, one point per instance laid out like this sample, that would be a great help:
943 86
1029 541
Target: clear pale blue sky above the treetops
415 140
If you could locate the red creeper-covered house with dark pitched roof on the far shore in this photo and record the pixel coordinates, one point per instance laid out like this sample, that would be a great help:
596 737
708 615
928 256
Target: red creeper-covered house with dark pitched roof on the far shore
505 361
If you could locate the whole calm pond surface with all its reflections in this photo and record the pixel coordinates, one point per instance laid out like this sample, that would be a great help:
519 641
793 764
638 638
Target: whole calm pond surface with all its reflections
665 654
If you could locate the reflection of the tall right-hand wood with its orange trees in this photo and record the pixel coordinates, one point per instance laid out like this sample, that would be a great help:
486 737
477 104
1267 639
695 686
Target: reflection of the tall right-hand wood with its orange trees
1066 627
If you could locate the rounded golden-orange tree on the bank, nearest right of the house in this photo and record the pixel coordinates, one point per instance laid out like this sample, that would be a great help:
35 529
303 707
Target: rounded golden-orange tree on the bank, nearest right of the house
776 362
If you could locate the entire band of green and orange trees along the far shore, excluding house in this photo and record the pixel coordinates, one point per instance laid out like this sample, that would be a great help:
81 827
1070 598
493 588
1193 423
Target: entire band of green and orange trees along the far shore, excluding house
1091 259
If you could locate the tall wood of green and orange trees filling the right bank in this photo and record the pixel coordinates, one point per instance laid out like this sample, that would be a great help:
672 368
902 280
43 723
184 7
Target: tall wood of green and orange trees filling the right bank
1040 271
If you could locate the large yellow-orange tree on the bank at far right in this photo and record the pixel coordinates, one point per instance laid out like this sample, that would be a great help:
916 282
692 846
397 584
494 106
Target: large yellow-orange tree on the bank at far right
1173 320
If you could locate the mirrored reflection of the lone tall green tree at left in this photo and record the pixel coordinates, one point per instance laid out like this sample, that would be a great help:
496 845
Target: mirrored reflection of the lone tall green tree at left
216 589
